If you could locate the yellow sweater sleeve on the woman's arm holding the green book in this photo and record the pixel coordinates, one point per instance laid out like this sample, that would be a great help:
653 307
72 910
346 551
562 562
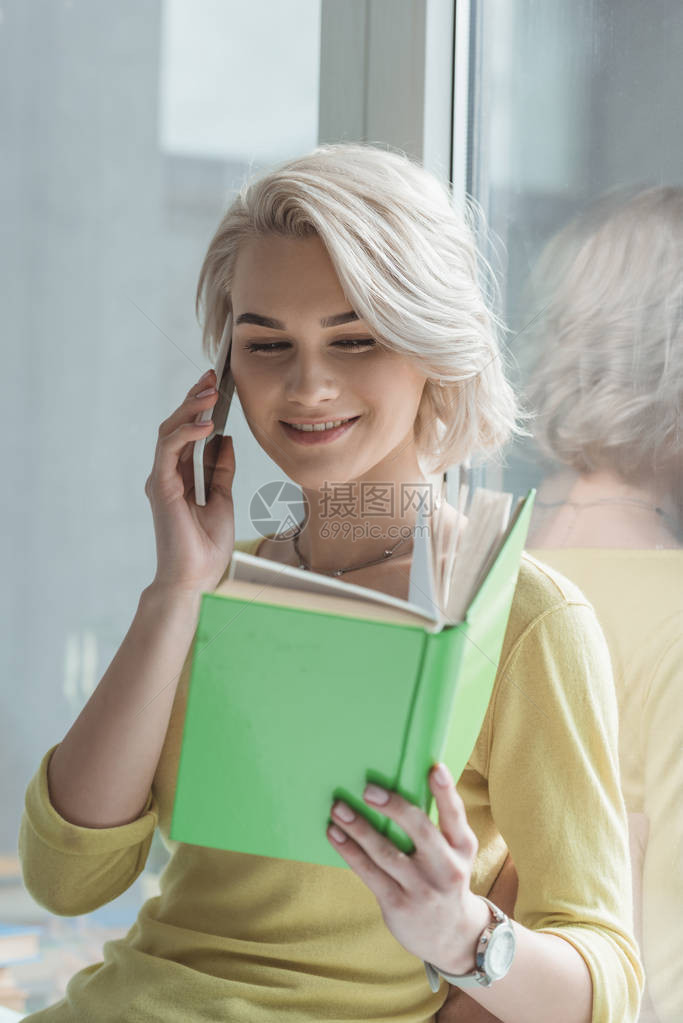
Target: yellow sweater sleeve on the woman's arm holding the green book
556 797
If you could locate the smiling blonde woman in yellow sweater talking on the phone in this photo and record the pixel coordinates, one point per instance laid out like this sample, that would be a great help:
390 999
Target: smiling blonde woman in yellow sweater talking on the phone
354 288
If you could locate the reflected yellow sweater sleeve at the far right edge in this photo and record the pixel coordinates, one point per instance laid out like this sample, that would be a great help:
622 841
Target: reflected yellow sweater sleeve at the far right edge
663 864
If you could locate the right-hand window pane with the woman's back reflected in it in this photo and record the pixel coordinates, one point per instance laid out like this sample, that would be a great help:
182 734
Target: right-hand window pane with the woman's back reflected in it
577 160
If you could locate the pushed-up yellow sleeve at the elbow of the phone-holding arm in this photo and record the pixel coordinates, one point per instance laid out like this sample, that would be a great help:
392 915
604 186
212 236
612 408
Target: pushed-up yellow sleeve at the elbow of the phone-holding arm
71 870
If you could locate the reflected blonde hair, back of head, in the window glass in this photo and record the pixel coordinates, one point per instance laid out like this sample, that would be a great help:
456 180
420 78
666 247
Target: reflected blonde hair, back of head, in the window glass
607 340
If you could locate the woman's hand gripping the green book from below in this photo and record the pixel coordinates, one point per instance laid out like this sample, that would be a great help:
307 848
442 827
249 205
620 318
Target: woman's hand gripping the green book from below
425 898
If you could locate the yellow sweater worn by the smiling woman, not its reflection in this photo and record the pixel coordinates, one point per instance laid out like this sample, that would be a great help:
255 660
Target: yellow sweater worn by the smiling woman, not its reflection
253 940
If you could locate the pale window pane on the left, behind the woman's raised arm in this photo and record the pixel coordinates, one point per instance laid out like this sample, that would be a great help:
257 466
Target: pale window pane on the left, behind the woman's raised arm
127 129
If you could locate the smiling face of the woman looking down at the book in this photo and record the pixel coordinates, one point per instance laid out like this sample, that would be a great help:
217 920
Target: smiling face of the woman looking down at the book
310 371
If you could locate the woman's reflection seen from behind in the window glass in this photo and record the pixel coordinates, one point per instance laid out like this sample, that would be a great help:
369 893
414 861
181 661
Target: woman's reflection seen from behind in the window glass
609 390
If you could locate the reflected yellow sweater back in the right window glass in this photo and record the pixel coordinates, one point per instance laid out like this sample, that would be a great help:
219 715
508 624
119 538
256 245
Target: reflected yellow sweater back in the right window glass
639 599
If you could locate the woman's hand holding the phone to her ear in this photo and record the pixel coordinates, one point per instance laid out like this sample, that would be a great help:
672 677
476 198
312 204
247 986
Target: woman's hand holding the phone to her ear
195 544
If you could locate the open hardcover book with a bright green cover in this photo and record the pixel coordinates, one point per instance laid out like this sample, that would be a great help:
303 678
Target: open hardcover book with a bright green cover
304 688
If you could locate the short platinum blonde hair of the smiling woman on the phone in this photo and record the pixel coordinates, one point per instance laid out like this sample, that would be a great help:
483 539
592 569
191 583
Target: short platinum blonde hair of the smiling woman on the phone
408 264
